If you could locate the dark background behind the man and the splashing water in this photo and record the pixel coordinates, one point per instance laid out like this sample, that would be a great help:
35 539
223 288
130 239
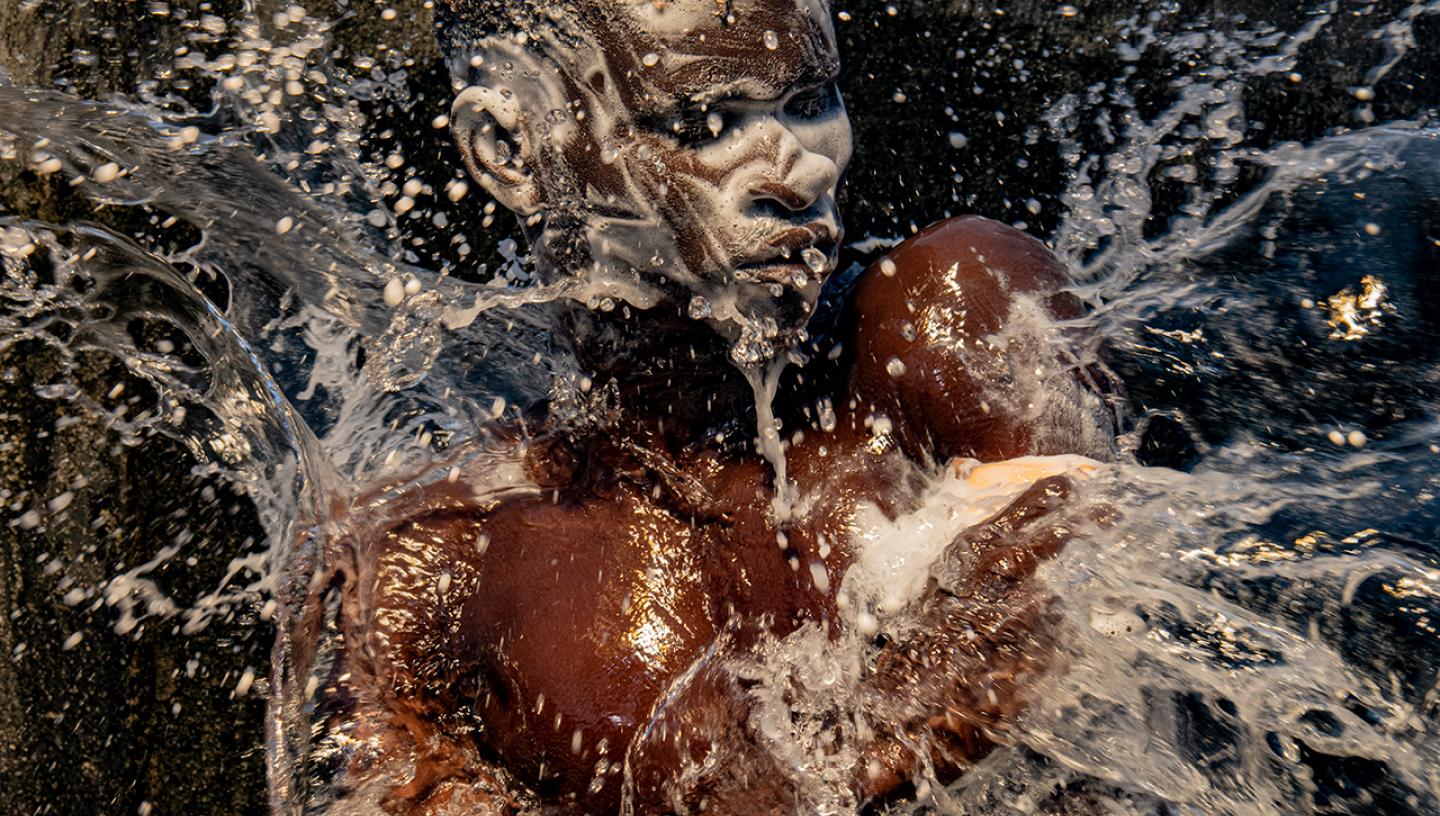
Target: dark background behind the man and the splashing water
950 104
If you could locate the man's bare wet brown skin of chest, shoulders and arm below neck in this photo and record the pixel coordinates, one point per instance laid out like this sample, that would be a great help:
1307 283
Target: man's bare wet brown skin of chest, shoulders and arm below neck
564 617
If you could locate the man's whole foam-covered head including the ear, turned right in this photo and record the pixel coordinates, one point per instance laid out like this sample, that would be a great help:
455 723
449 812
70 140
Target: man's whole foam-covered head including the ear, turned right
666 150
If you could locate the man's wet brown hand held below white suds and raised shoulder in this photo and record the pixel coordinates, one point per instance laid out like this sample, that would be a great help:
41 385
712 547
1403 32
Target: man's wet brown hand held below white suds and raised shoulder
948 690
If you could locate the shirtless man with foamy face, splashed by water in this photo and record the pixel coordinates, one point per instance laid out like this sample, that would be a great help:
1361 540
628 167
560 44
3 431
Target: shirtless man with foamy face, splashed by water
572 644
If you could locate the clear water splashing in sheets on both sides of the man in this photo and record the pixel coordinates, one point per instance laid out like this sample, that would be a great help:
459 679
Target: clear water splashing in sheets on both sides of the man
1255 635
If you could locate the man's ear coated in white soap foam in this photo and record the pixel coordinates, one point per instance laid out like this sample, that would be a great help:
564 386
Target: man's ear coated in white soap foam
487 127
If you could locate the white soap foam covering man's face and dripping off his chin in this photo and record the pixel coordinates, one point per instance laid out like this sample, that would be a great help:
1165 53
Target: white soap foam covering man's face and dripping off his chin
656 215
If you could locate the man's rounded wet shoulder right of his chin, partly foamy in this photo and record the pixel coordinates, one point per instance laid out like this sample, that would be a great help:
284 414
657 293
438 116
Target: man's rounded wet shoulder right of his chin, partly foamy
954 345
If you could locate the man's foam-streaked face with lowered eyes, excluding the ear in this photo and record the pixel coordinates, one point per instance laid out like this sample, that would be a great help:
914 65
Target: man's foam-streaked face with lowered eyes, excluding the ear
702 149
